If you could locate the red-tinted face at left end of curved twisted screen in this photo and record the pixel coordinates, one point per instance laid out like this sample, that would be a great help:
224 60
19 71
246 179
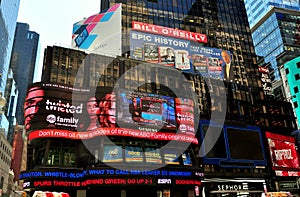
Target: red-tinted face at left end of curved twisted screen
34 96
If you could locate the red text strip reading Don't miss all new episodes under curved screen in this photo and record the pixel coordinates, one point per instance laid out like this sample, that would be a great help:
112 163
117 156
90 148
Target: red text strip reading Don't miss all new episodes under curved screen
59 133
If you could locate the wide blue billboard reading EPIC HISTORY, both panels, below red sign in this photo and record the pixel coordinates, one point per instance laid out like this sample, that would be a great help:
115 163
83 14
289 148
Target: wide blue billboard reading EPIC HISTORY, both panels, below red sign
181 54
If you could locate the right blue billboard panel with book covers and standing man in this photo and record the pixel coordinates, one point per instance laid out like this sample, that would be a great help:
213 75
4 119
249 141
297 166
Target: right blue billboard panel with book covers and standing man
211 62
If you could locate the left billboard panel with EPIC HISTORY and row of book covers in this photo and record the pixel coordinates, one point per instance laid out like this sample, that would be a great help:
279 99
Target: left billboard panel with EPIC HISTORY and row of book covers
167 51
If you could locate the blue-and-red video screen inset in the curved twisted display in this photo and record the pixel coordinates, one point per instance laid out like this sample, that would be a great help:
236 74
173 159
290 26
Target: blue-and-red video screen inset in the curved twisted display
150 110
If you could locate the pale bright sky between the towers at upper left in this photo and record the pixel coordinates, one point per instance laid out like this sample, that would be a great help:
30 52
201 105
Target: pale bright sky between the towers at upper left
53 20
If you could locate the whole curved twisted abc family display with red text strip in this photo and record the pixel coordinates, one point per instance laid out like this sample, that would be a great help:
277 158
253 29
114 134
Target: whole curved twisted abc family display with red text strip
54 110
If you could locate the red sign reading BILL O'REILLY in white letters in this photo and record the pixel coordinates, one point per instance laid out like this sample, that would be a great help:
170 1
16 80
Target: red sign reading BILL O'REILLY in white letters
166 31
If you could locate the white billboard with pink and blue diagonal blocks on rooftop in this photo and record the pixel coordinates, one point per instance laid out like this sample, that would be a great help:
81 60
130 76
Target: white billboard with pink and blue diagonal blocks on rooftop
96 32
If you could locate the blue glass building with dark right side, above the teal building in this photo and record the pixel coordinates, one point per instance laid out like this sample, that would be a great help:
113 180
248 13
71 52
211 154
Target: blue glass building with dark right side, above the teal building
276 33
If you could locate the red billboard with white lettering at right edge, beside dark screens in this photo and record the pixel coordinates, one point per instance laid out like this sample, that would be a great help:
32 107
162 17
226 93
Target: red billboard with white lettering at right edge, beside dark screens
283 151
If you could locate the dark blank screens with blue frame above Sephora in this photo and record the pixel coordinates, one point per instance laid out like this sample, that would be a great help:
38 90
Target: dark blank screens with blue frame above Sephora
222 153
